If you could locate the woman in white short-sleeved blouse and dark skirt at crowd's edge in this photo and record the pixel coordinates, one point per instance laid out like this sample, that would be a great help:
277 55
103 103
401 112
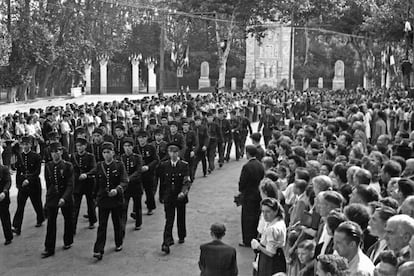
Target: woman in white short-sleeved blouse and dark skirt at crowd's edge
270 248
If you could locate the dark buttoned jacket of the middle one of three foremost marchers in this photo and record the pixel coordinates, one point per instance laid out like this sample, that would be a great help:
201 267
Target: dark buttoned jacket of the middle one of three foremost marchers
108 177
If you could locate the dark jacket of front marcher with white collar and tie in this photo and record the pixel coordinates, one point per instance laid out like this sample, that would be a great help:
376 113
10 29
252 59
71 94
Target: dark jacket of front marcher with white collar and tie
175 180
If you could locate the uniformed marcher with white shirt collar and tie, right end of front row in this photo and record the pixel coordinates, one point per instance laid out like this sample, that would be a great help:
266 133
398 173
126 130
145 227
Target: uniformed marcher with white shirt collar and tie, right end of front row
173 193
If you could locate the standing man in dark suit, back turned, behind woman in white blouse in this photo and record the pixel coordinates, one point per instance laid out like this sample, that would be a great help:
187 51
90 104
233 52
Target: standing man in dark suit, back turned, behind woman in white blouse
251 175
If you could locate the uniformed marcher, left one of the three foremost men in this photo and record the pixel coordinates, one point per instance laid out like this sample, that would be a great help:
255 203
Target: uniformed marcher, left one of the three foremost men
59 195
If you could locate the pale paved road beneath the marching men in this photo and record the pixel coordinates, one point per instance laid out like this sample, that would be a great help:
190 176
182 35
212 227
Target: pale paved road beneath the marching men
211 200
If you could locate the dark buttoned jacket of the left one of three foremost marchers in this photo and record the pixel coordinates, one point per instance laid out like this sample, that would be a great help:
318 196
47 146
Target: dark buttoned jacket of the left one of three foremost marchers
59 182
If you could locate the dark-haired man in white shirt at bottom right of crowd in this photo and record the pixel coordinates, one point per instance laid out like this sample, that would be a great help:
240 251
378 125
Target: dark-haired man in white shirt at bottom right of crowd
347 242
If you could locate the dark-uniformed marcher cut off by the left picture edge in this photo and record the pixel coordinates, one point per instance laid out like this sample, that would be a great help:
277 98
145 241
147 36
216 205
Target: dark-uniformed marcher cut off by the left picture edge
5 183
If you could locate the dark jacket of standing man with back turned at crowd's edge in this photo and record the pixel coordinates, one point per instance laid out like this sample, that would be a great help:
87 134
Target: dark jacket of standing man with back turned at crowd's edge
251 175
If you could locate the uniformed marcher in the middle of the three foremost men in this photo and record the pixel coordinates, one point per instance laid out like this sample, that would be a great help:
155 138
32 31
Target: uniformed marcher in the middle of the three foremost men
111 182
